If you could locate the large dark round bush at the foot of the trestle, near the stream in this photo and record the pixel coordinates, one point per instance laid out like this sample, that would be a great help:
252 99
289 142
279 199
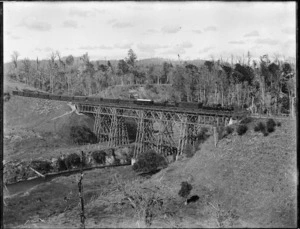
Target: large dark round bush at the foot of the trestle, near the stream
149 162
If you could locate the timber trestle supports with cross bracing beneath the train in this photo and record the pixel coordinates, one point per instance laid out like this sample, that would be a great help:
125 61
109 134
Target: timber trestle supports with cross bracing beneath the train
166 132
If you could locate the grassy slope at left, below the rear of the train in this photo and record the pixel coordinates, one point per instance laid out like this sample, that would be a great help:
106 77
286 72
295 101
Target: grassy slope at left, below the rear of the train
29 128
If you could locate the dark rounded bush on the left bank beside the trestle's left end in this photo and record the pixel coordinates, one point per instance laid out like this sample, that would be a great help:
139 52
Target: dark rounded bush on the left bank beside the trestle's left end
82 135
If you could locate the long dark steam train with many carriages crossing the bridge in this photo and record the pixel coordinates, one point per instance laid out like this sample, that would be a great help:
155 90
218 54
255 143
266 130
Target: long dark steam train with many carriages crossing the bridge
126 102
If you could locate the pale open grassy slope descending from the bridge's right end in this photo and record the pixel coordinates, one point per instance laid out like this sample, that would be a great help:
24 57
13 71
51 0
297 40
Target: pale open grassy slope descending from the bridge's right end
253 175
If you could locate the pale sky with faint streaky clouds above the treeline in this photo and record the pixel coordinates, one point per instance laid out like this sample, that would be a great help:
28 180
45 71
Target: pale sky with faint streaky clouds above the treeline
107 30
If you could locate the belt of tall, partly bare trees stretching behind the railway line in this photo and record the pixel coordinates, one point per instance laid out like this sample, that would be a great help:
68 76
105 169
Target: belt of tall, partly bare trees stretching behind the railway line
265 86
